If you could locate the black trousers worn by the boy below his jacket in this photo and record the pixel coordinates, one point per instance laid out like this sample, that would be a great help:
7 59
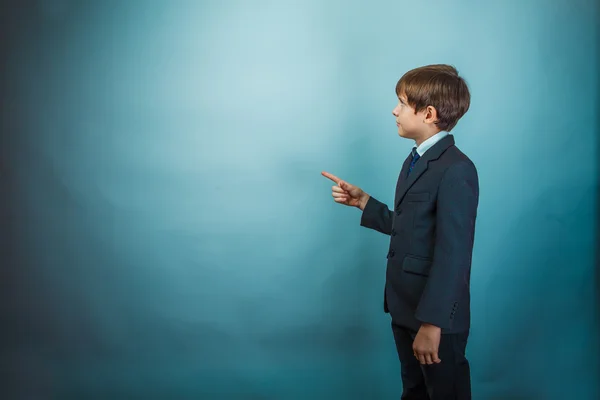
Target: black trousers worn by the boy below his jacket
448 380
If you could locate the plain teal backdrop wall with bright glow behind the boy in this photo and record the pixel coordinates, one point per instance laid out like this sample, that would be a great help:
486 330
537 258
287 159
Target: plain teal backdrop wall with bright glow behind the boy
166 232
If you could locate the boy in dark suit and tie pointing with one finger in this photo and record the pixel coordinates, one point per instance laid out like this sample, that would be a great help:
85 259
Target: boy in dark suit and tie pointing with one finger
431 228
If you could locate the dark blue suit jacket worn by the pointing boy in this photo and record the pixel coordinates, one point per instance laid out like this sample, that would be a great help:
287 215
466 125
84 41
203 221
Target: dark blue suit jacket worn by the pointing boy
431 228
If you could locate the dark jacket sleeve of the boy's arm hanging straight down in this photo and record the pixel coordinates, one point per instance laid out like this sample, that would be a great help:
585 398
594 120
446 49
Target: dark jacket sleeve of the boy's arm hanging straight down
449 276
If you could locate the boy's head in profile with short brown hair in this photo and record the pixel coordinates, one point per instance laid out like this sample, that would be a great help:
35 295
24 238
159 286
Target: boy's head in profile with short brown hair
431 98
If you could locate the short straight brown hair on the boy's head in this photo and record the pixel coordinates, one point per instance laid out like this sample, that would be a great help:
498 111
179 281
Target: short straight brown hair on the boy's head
438 86
